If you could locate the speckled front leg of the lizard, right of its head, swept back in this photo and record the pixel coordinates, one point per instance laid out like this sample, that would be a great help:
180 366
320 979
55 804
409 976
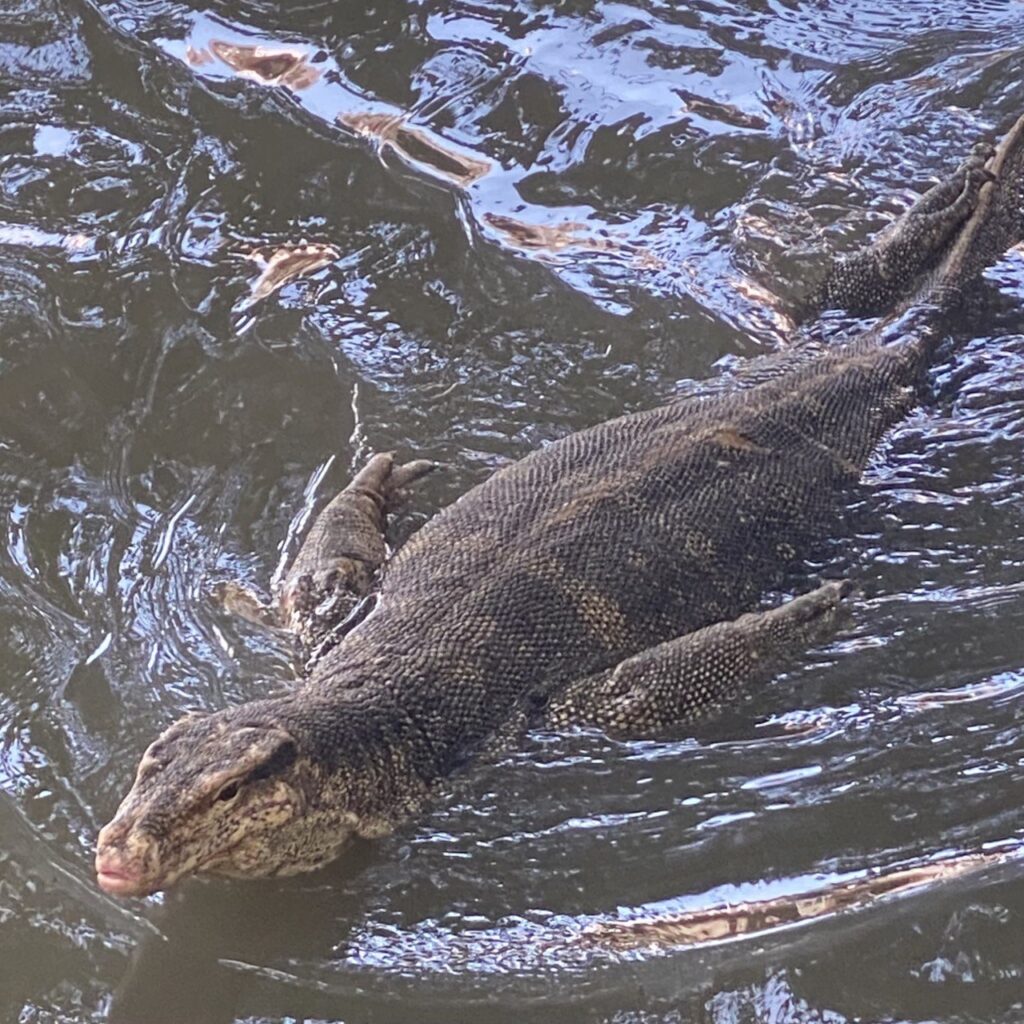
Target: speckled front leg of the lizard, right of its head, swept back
696 674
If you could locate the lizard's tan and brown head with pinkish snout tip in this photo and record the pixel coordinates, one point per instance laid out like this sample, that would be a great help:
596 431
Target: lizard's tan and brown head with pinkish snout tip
232 793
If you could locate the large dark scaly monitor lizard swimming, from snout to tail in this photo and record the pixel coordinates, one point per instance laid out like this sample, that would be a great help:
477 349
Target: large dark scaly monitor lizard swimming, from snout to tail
613 578
